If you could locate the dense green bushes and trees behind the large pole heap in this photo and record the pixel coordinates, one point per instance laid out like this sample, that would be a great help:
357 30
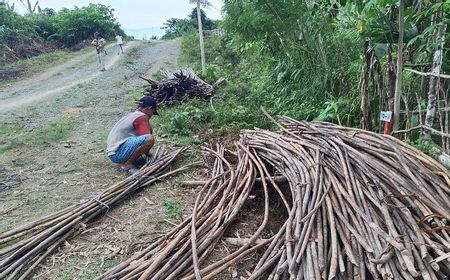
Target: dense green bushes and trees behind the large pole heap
309 60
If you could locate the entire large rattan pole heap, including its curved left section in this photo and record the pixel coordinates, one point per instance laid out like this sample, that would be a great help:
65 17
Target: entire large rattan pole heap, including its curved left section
360 206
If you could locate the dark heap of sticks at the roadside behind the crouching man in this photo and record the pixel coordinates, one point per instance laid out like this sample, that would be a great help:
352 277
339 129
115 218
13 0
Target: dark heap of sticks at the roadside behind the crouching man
175 86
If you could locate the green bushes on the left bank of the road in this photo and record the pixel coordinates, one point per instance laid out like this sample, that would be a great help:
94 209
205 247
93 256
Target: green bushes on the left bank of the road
43 30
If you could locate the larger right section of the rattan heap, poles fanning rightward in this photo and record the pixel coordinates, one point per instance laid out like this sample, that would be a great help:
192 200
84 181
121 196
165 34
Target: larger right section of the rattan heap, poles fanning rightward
364 206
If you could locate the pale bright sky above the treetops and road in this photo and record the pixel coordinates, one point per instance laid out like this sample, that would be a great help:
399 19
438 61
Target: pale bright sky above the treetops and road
133 14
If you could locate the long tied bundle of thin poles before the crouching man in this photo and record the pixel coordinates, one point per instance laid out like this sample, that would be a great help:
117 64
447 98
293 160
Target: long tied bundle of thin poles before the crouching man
23 248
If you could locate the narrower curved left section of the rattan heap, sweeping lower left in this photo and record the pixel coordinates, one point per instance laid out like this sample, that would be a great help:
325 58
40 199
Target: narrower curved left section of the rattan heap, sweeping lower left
186 246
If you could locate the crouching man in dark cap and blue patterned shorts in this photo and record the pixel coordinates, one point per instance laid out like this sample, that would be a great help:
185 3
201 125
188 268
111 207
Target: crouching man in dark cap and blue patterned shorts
132 136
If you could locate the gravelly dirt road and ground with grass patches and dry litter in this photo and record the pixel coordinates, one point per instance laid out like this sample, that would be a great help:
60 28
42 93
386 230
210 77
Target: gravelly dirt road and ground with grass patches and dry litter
52 154
